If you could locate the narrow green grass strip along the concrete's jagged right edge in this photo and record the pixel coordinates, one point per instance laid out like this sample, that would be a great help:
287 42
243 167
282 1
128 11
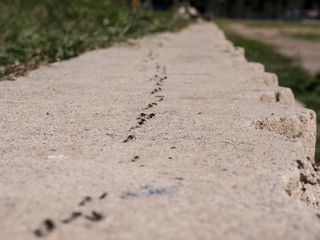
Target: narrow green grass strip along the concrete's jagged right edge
305 86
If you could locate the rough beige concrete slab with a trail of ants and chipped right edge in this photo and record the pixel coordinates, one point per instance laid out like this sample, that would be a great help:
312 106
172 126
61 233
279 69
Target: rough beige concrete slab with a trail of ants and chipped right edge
186 139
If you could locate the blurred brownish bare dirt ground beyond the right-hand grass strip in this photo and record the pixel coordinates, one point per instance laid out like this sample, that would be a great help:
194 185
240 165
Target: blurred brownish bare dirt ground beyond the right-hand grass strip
308 52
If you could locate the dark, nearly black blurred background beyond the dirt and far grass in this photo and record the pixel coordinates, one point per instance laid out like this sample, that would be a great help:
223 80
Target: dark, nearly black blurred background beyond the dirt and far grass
253 9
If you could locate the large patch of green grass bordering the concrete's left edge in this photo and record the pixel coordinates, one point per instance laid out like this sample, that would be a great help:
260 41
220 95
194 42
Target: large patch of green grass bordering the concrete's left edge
34 32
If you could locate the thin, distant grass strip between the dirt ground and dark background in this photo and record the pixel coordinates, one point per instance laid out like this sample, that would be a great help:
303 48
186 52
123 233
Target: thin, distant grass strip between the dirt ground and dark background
280 24
